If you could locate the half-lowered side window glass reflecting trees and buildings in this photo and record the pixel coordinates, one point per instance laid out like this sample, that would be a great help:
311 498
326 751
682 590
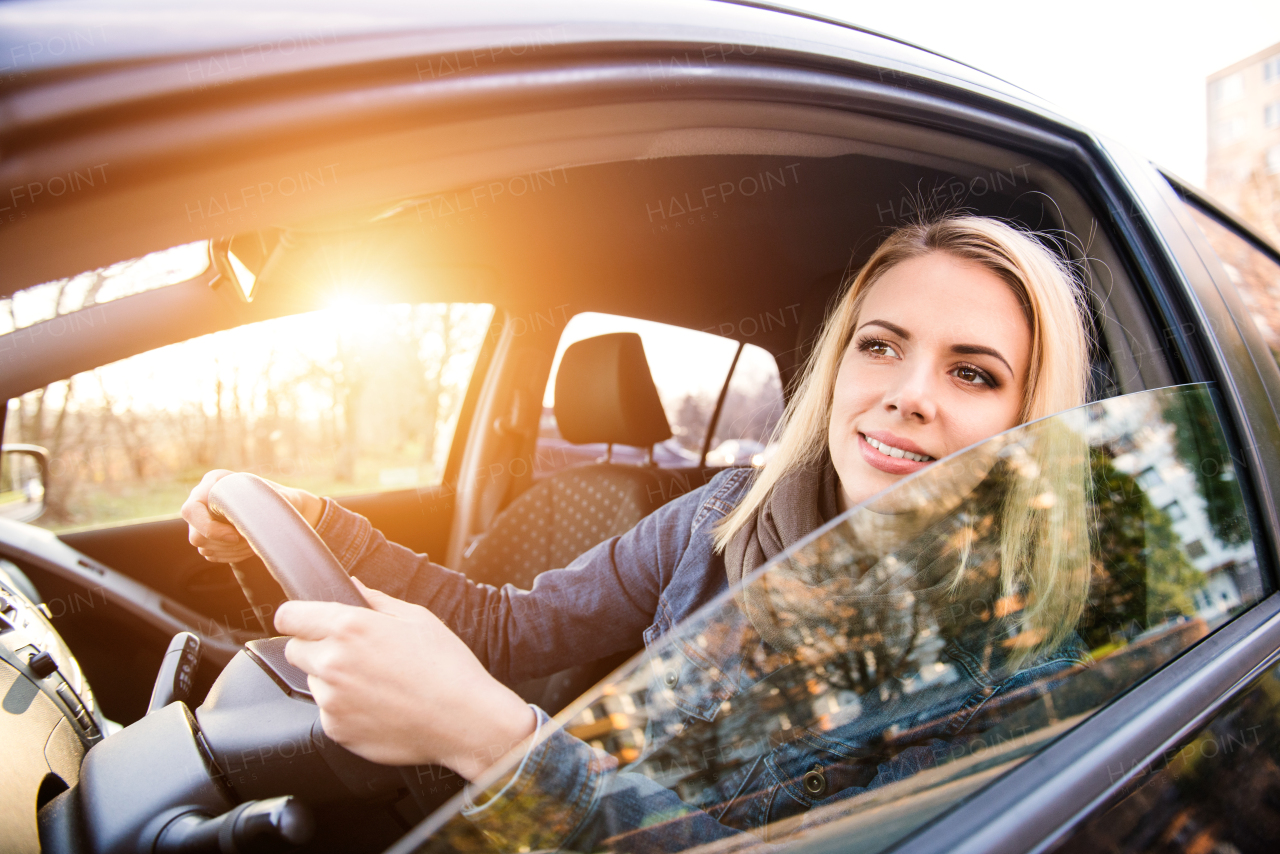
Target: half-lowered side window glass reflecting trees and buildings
904 655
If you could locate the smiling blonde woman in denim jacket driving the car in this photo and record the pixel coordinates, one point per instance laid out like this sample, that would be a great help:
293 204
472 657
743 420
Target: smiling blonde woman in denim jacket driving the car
953 332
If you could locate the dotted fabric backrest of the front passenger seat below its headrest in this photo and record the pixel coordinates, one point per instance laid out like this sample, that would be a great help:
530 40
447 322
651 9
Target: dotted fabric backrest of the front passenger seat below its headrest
561 518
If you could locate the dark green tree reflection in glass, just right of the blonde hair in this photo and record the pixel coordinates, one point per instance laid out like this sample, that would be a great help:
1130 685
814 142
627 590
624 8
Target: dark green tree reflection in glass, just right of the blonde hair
1141 576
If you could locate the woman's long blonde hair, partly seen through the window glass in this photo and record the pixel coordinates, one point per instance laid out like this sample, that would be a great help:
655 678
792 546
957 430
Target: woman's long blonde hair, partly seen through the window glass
1045 545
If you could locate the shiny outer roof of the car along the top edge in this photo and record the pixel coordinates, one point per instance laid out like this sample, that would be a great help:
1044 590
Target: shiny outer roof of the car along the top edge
61 39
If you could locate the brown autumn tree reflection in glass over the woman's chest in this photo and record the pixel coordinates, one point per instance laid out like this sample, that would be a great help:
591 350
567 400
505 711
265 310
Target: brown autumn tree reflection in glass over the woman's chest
860 632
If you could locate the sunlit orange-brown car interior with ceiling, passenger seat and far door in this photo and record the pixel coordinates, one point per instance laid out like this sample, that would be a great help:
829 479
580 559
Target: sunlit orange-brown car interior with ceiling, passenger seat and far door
693 216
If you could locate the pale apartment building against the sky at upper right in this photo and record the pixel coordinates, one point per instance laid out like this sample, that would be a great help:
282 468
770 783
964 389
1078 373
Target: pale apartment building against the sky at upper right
1244 170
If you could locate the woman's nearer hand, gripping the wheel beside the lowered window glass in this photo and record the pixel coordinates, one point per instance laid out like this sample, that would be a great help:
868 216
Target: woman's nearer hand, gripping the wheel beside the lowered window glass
397 687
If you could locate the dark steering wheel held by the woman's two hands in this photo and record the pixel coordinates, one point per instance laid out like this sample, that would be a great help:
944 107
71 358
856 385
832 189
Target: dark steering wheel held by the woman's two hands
305 568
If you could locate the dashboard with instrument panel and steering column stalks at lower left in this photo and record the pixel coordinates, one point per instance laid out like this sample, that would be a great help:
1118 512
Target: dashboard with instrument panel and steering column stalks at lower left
180 779
